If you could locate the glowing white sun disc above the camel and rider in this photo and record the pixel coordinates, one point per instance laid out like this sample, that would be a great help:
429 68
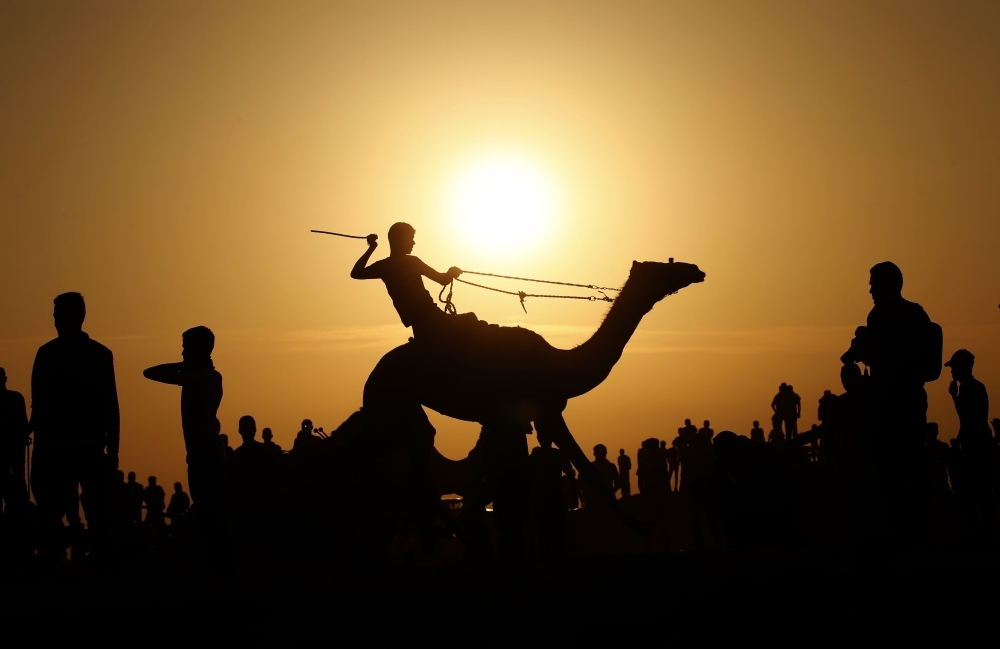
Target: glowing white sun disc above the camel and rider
503 205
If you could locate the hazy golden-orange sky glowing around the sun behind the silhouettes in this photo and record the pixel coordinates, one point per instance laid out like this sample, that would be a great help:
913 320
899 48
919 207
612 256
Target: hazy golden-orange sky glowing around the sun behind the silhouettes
168 159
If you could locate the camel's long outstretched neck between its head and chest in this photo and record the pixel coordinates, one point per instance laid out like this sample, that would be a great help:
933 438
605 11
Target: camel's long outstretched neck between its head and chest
588 365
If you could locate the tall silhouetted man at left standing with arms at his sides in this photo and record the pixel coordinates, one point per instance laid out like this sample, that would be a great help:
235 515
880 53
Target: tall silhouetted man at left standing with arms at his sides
74 413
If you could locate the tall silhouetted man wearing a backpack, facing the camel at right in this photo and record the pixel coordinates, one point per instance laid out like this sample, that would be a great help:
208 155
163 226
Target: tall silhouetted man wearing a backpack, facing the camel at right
902 348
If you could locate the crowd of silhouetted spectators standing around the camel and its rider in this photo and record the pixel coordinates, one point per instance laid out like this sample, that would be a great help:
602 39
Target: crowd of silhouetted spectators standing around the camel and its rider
872 443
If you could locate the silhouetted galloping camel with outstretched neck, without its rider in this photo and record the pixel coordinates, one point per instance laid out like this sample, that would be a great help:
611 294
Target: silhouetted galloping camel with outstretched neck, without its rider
507 378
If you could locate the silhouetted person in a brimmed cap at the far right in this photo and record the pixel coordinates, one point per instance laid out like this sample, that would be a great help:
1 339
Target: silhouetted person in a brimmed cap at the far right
975 443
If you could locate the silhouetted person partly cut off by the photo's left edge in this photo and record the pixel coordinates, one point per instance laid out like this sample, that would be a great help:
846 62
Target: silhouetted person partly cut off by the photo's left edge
14 432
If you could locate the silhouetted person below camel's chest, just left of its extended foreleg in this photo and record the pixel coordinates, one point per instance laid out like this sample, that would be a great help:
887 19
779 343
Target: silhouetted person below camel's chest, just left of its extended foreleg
548 468
